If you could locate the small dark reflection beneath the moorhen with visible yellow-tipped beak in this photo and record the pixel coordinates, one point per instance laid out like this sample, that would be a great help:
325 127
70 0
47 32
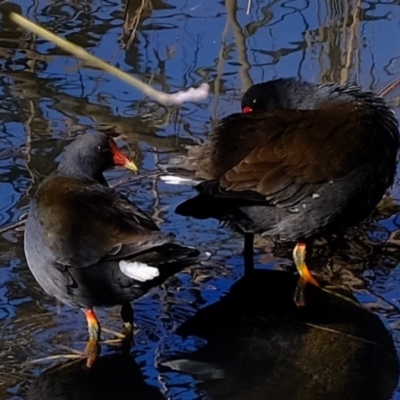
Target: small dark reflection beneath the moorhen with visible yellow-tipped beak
113 377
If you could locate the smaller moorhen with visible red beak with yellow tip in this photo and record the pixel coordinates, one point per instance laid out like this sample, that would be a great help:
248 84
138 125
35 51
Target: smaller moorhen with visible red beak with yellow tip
85 243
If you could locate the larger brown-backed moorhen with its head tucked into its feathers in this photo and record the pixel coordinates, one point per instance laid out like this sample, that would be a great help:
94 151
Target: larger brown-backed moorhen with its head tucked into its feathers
301 160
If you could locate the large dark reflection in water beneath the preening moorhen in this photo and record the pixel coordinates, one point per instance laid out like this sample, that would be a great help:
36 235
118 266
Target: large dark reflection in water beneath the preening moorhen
260 346
